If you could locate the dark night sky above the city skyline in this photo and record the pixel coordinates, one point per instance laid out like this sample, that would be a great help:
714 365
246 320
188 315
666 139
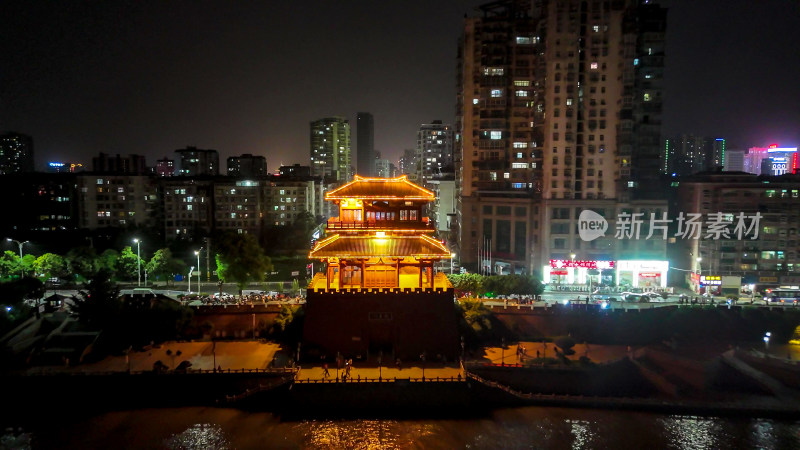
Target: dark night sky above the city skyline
150 77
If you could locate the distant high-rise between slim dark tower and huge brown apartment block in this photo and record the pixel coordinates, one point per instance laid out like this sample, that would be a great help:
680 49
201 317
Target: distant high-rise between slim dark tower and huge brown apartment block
434 150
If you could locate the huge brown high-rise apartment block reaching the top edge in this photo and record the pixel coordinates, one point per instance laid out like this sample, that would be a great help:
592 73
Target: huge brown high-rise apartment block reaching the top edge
558 110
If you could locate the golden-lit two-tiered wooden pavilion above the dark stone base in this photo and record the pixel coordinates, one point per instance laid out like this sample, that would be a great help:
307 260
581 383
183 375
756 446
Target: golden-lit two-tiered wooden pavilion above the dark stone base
381 239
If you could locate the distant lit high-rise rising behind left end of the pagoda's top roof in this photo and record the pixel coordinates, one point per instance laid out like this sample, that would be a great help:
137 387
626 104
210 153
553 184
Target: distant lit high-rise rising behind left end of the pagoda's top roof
330 149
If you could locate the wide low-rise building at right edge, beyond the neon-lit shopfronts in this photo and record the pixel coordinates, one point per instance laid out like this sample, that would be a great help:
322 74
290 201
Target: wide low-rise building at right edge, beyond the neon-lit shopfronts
748 227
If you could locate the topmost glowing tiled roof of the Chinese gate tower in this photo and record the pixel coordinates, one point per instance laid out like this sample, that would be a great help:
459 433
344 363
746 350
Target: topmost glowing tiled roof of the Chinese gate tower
380 189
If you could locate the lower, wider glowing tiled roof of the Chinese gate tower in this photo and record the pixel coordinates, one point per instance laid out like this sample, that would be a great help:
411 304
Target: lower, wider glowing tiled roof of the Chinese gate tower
345 247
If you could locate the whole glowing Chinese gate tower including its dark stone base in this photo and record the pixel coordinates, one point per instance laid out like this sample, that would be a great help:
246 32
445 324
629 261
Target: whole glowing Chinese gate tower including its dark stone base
380 290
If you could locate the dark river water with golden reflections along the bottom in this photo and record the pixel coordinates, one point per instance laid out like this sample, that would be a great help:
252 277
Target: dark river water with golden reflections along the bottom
529 427
